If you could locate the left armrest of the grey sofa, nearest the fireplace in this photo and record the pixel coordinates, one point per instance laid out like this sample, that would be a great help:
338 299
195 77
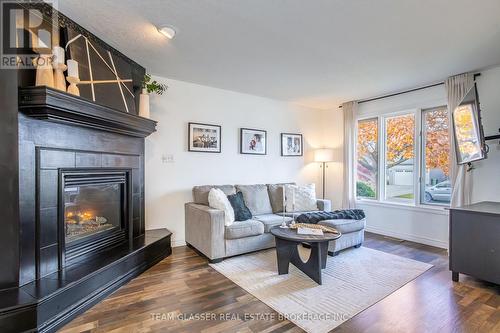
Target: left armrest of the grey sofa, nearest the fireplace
204 228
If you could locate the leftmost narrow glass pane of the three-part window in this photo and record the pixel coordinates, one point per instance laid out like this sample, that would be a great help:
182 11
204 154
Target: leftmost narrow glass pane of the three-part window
367 159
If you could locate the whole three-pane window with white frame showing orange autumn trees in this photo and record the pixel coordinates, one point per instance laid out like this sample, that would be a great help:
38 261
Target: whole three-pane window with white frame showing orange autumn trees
410 169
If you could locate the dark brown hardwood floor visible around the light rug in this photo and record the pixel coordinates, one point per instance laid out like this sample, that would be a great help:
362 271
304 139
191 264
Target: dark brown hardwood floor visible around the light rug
184 284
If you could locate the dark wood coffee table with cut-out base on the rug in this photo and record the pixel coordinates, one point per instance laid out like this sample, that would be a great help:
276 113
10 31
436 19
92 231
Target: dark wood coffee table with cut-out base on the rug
287 252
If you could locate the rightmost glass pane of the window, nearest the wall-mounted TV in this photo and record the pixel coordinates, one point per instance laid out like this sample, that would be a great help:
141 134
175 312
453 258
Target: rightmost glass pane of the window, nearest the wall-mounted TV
435 181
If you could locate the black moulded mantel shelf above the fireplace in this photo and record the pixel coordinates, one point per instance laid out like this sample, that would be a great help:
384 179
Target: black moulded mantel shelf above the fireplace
54 105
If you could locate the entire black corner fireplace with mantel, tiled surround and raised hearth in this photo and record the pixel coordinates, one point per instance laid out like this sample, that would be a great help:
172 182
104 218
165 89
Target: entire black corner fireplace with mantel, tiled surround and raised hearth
81 209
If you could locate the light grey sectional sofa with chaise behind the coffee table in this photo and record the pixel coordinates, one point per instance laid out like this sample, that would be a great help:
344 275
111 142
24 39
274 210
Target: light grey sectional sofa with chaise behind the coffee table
206 232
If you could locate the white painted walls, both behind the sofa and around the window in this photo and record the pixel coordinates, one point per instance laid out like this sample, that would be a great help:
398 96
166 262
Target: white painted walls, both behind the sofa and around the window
168 185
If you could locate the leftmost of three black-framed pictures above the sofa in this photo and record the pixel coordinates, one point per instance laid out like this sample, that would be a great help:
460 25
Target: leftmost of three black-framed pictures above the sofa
204 138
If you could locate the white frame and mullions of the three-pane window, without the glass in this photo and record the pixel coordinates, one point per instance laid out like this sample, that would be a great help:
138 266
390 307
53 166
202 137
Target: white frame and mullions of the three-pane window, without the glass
418 165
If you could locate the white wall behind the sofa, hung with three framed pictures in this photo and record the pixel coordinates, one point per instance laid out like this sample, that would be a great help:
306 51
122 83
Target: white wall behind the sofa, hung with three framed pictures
168 185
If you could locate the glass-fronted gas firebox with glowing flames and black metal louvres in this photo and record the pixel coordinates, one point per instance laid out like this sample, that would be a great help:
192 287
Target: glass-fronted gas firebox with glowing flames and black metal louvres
94 211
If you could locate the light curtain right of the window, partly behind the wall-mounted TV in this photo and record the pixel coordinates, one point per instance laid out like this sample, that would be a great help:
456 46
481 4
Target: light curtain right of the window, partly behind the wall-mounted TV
456 88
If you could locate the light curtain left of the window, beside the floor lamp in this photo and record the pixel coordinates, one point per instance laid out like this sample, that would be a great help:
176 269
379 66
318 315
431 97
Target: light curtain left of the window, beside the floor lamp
349 194
